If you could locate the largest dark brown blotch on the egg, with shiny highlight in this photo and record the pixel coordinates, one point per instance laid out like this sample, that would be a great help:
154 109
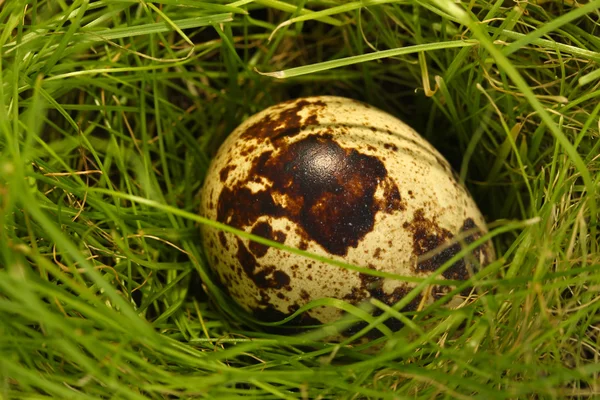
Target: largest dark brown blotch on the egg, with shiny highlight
329 192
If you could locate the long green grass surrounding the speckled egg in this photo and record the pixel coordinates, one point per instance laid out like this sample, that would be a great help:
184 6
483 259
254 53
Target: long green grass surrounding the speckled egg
110 111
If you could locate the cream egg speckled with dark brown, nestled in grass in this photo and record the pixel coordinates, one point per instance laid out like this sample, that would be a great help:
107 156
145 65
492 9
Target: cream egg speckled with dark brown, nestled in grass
338 178
